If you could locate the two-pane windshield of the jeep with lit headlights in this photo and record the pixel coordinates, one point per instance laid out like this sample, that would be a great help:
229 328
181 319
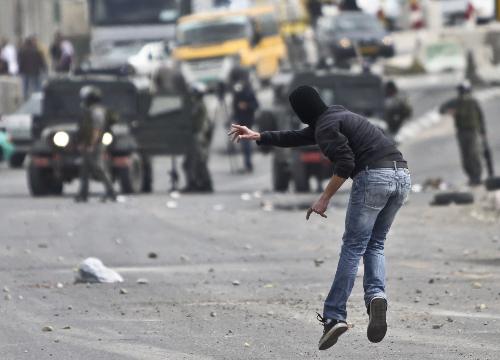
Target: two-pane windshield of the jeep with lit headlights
64 100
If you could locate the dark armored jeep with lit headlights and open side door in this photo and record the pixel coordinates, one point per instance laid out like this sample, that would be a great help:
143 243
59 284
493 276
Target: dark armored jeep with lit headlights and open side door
146 124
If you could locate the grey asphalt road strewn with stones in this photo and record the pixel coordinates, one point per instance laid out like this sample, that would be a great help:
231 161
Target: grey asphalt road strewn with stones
443 268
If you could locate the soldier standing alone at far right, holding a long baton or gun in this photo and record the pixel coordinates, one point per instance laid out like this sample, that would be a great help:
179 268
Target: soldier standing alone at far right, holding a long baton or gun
470 129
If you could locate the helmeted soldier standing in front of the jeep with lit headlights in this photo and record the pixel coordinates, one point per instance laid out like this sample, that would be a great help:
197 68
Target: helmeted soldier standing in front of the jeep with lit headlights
95 121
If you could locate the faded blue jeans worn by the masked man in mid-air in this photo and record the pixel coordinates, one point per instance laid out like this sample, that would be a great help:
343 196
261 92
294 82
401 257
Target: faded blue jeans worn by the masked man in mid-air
376 197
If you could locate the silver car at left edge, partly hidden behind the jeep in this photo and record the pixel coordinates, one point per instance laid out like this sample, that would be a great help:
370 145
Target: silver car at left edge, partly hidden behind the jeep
19 126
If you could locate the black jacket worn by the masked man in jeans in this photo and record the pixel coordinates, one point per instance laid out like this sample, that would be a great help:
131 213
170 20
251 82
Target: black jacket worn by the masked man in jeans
349 140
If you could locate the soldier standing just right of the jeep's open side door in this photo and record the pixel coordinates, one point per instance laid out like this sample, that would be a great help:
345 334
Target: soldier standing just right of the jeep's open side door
195 165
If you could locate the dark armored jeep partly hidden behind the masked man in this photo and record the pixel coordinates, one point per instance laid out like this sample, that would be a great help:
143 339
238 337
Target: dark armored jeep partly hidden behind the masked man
359 92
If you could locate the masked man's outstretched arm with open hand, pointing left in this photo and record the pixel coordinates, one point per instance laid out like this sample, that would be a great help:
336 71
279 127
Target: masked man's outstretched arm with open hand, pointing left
287 138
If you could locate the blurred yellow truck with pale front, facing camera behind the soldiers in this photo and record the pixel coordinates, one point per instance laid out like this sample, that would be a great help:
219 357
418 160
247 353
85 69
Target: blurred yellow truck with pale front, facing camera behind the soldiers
210 45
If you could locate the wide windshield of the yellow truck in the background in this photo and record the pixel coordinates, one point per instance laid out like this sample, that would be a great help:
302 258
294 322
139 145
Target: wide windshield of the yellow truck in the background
213 31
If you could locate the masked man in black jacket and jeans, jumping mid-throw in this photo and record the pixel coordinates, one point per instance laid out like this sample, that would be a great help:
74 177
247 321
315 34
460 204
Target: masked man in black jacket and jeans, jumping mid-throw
381 184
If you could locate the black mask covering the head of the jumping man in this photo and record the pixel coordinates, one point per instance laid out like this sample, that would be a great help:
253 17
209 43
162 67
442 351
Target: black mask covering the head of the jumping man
307 104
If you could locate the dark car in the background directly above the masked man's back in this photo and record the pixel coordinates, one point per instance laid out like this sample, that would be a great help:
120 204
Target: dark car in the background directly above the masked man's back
350 34
